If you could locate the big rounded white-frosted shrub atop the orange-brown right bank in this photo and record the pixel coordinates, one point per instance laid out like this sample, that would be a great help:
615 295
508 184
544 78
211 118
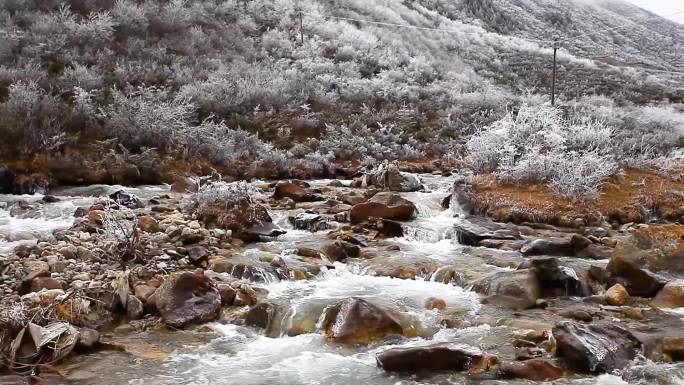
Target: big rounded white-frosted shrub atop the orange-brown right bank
538 145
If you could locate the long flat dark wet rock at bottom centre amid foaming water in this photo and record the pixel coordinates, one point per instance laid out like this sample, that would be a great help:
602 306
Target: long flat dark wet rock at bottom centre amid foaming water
444 356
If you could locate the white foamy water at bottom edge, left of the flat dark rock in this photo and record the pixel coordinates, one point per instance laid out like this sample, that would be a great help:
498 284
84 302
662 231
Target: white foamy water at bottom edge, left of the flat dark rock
240 357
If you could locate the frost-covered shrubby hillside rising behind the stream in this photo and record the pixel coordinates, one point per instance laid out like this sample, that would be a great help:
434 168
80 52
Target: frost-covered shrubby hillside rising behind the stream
232 83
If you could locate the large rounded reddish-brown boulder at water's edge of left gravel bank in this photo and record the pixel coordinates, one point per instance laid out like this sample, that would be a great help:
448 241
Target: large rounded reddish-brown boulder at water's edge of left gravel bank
186 298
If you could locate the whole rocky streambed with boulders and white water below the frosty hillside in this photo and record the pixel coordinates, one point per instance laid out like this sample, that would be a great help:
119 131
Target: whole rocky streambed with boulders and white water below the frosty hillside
361 283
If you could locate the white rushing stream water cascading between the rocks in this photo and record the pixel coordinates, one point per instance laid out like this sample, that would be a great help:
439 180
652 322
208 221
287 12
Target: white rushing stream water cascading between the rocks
299 353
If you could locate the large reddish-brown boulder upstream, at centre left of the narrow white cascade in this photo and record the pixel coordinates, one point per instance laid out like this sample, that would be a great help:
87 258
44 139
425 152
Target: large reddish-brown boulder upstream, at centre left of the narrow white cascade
385 205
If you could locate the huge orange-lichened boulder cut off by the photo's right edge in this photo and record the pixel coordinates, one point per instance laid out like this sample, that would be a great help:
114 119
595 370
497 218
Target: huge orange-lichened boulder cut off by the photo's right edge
651 257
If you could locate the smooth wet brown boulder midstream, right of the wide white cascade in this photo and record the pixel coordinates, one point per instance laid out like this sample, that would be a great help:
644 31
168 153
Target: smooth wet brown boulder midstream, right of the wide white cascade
518 289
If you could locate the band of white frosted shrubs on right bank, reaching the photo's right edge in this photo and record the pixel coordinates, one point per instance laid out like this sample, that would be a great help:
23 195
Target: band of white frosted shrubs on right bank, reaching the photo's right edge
573 155
